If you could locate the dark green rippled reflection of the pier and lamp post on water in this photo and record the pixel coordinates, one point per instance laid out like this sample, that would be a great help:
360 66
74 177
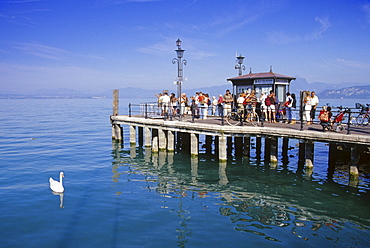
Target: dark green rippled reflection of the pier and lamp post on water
257 199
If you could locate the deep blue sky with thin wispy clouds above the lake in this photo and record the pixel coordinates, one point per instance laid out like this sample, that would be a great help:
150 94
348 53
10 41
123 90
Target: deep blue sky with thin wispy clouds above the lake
100 45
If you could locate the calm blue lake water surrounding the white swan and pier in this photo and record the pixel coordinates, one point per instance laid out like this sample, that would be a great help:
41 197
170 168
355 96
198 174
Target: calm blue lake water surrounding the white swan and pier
122 196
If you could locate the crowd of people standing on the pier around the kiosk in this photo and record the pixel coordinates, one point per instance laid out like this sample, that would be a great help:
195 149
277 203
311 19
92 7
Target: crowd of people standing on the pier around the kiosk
267 105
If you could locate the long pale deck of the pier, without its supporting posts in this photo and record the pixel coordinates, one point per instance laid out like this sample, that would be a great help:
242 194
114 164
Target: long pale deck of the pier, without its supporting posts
213 126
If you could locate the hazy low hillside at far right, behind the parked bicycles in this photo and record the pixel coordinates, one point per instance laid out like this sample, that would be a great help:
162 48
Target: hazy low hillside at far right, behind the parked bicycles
353 92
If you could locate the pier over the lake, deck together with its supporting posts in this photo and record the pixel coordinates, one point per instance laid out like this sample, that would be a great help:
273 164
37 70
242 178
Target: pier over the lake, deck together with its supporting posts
166 134
